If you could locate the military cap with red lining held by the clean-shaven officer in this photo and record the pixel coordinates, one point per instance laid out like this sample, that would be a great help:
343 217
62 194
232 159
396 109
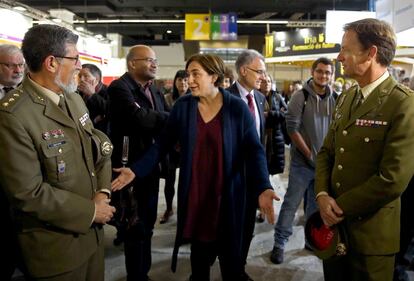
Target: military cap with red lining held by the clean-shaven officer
325 241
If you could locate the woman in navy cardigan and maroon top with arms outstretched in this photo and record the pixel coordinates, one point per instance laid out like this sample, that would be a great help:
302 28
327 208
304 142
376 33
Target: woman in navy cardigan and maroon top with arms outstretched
221 157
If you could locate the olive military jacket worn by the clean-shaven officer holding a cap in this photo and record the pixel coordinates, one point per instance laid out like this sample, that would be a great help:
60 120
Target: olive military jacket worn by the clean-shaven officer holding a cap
366 162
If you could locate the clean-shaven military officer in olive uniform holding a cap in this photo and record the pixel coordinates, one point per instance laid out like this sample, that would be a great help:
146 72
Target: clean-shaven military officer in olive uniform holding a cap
367 157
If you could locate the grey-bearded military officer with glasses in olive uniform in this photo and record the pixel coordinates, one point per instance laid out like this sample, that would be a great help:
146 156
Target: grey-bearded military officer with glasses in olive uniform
56 167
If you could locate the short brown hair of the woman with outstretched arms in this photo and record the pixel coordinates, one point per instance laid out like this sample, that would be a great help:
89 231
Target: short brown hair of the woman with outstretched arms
212 64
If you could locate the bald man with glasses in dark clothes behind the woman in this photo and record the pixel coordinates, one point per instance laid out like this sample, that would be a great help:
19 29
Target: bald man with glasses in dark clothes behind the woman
137 110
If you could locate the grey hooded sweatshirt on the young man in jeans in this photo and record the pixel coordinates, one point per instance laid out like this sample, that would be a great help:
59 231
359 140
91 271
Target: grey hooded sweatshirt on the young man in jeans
313 124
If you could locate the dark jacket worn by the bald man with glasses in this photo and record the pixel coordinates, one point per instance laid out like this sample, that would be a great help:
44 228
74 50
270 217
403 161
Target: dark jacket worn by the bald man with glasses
131 114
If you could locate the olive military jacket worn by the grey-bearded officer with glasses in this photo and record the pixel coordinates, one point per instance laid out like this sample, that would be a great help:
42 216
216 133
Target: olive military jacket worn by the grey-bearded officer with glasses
51 174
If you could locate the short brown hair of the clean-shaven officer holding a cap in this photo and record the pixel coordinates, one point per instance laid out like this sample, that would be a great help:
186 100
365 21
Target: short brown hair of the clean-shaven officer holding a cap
373 32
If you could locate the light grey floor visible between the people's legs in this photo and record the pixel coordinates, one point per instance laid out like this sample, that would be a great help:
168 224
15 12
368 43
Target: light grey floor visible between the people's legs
299 264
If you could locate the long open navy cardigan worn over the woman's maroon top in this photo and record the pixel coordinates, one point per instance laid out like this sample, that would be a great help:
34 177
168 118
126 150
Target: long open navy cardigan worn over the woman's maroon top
244 160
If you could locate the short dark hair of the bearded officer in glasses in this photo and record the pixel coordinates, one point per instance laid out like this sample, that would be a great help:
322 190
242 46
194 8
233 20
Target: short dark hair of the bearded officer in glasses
44 40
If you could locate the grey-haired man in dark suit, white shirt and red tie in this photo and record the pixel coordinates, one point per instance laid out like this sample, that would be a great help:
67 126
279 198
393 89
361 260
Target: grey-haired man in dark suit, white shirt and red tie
251 71
